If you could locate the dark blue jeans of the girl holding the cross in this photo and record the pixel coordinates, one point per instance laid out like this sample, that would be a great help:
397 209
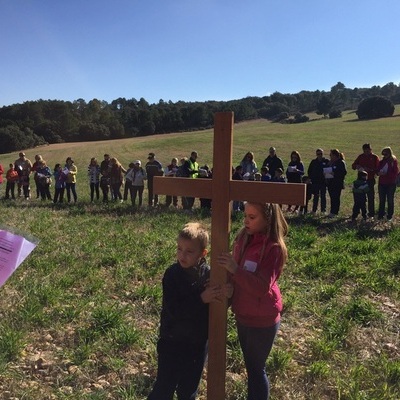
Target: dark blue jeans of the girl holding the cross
256 344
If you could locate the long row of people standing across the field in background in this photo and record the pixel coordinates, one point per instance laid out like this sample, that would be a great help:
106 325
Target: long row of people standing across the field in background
110 181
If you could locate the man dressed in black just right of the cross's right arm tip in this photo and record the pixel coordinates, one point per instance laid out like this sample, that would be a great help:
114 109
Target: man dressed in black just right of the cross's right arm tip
316 174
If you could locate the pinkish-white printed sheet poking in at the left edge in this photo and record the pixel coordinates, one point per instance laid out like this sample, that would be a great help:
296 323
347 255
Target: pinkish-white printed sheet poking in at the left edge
13 251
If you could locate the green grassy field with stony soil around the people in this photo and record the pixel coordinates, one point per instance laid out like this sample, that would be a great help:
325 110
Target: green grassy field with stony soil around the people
79 318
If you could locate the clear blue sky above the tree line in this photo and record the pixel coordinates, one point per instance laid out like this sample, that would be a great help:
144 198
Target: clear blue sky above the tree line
193 50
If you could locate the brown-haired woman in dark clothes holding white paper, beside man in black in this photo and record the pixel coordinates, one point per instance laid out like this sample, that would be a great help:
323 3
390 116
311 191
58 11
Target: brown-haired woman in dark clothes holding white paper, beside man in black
335 180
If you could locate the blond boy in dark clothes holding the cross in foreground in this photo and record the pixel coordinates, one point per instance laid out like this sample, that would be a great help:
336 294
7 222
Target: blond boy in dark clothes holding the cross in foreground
182 345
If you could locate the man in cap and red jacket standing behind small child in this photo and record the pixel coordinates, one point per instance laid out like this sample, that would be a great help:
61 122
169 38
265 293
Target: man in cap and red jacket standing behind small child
369 162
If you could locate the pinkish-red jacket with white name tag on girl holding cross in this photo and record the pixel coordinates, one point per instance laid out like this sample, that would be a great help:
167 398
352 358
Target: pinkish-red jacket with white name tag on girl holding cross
257 300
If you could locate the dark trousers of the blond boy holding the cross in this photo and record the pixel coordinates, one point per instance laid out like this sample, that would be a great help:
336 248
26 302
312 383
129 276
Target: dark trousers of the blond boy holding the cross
179 369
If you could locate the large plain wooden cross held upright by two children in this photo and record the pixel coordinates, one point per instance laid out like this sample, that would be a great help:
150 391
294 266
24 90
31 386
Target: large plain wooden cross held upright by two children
222 190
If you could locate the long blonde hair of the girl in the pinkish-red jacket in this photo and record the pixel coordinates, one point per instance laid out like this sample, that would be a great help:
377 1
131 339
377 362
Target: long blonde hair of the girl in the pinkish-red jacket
276 230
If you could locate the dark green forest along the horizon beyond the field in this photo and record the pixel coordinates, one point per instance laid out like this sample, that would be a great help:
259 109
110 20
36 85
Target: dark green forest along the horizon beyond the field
39 122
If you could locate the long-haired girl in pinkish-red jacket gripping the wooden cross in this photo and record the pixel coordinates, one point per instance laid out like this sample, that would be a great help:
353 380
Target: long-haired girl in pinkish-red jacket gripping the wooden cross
259 254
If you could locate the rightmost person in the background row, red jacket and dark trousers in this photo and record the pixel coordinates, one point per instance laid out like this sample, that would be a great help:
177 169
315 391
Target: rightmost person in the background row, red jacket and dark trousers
388 171
